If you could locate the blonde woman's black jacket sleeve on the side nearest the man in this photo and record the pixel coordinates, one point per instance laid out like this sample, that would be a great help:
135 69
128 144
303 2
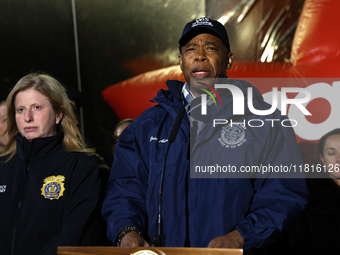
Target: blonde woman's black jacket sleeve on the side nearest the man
81 211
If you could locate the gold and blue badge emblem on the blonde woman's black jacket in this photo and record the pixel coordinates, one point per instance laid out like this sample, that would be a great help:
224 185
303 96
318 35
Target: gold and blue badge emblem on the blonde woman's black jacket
53 187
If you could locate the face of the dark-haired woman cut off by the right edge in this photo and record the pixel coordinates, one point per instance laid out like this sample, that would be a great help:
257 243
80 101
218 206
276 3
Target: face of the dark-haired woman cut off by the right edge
331 155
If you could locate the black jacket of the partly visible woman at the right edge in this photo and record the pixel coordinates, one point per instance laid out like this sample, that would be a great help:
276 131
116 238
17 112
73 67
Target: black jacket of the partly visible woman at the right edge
317 230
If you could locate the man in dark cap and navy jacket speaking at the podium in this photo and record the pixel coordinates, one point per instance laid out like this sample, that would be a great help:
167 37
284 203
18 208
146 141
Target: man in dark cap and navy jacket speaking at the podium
200 211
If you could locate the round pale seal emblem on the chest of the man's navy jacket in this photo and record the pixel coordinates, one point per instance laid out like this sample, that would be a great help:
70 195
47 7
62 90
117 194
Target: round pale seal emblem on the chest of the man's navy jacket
232 136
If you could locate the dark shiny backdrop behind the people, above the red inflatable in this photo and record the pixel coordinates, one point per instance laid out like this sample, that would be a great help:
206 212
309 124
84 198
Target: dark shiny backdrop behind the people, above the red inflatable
117 40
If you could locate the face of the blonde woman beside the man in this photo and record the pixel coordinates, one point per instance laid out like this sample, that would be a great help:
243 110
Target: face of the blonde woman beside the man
34 115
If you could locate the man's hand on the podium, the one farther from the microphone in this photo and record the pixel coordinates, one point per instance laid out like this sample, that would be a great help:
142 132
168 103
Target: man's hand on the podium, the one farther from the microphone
231 240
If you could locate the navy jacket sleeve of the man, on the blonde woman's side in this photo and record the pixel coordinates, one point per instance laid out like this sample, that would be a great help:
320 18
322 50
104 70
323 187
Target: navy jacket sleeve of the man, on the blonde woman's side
125 201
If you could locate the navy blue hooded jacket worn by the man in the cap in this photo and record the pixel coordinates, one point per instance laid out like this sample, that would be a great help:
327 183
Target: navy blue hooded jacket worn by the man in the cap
196 210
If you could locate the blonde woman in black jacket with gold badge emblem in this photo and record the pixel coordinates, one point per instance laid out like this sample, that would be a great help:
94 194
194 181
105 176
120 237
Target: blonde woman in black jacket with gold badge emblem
49 182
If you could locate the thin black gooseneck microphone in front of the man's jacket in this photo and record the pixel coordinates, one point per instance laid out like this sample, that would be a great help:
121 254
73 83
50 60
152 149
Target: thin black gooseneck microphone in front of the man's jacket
158 240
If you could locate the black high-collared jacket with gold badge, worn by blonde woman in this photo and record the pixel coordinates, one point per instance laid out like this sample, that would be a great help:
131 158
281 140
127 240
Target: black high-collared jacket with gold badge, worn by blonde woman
48 197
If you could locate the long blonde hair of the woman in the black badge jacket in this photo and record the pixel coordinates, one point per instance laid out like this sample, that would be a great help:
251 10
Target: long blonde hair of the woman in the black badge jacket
57 96
